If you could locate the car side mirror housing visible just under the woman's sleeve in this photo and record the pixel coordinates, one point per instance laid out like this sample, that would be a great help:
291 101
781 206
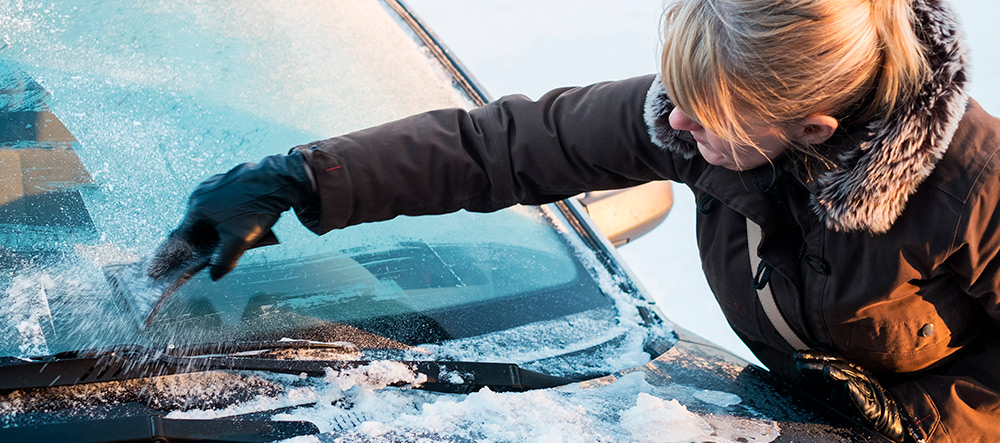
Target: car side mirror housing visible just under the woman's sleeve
626 214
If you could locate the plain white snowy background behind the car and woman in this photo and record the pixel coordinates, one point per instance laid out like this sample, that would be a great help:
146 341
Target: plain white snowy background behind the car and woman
531 46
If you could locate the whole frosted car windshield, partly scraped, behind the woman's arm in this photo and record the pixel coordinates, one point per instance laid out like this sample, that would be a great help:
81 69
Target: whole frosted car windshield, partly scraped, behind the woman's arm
112 112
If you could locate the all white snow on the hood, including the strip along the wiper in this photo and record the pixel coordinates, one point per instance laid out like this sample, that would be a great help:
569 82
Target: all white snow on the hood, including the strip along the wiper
358 405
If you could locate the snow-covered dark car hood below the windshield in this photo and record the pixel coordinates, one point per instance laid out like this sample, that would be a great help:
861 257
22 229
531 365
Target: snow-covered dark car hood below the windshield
691 392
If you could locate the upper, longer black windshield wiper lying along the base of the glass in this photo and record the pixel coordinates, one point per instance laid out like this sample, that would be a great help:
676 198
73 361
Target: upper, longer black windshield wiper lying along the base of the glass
132 362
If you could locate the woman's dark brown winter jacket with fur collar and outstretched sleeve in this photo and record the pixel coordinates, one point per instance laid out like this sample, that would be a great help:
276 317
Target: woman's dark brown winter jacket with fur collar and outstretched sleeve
887 253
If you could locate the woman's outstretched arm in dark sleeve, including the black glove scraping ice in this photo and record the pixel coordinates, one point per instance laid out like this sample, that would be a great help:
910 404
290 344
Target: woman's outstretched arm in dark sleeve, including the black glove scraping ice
511 151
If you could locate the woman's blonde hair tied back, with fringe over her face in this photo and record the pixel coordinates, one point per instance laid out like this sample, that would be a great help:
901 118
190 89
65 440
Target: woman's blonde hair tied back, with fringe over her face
727 63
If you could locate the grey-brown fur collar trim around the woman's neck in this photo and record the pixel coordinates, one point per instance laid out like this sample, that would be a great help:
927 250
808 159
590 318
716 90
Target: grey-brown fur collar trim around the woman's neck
875 177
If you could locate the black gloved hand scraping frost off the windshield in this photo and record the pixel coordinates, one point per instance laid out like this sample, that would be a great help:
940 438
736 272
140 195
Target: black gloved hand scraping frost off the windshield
232 212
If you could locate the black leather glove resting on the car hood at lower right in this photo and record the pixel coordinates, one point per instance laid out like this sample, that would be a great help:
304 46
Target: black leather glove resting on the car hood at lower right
857 390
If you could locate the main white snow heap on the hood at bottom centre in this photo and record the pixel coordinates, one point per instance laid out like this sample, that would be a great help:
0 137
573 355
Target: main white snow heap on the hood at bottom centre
626 410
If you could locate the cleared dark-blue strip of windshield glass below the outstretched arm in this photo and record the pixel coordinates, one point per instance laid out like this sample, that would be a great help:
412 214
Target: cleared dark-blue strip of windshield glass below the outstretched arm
416 293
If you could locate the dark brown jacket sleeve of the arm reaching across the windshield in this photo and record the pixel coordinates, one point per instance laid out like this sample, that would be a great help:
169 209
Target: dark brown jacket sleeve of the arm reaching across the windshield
511 151
